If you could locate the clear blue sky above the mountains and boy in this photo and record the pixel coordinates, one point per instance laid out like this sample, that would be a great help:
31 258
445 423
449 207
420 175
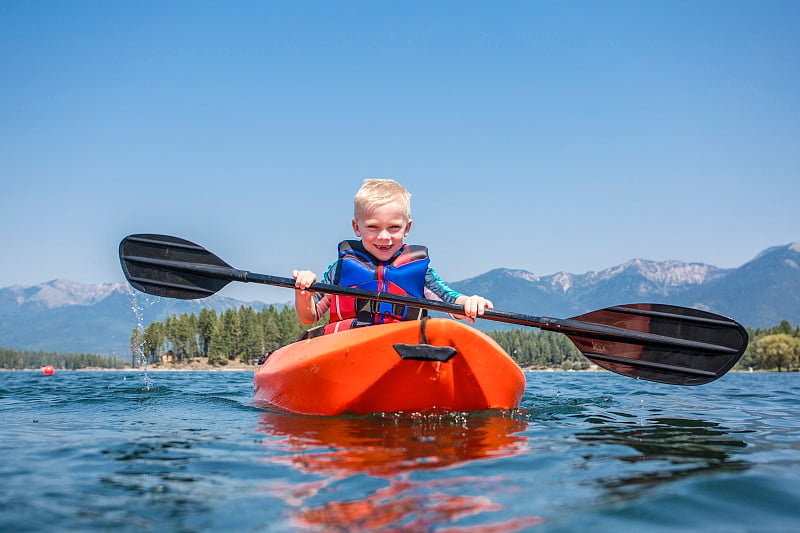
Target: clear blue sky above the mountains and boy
544 136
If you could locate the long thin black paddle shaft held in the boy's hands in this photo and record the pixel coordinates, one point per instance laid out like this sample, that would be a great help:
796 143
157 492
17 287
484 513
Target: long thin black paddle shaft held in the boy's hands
569 327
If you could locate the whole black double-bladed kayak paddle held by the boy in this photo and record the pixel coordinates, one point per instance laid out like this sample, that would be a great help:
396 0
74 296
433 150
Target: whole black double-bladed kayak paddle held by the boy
663 343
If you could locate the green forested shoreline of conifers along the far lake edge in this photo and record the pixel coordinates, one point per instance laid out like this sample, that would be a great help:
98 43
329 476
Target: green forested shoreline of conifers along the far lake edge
243 335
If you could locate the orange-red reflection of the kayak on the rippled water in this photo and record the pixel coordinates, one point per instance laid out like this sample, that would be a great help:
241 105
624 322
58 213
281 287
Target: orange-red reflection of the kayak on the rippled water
373 468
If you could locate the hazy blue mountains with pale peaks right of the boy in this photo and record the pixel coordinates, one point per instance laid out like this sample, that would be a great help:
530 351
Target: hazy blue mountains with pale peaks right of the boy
760 293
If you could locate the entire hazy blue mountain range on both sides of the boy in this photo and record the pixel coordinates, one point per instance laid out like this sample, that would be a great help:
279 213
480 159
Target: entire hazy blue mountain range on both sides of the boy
66 316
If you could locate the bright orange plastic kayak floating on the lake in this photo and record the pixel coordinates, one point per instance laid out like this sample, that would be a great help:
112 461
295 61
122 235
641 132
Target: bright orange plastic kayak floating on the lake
435 364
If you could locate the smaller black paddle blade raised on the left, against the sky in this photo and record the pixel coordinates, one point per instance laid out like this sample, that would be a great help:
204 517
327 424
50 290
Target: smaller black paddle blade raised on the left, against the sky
172 267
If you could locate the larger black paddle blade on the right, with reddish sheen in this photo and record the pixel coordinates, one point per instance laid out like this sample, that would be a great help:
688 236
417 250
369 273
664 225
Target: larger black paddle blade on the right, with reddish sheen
663 343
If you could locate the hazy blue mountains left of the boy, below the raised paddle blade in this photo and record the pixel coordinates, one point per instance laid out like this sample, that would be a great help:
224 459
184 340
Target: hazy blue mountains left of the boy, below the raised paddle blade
65 316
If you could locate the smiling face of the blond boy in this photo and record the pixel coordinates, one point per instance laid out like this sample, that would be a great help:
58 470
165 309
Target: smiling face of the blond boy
382 229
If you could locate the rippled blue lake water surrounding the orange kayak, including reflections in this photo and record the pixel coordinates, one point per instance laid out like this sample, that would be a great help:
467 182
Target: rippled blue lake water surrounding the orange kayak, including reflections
187 451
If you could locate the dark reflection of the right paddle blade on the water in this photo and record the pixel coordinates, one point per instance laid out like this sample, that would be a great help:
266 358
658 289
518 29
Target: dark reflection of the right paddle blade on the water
667 450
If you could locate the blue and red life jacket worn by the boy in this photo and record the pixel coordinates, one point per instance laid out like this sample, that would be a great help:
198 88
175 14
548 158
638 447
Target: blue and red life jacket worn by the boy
403 274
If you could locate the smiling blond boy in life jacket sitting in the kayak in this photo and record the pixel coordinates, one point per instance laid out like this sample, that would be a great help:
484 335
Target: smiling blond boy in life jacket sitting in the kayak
380 261
